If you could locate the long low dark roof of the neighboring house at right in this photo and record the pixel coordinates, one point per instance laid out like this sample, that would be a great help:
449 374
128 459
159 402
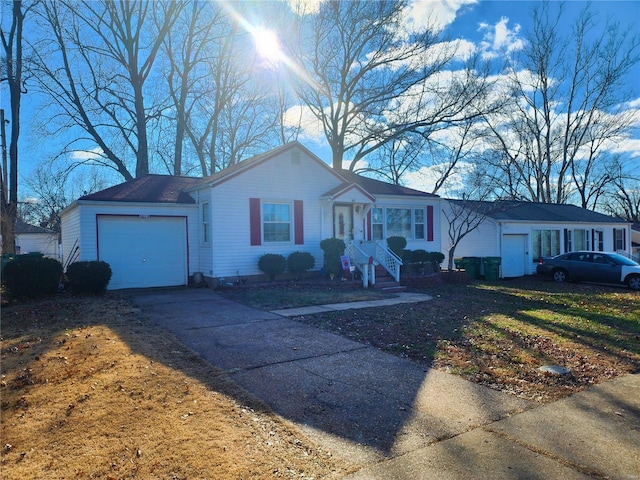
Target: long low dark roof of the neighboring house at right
513 210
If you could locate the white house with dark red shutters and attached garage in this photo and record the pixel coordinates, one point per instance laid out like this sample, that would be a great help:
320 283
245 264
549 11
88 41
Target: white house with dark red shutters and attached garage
159 230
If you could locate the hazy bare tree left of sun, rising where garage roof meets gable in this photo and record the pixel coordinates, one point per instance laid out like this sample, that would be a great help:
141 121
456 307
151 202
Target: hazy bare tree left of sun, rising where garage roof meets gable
231 113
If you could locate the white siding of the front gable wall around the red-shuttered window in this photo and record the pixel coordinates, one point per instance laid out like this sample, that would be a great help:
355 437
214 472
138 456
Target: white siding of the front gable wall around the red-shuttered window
282 179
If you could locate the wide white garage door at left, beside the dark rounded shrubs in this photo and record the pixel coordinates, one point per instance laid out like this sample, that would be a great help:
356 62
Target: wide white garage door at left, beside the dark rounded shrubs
143 251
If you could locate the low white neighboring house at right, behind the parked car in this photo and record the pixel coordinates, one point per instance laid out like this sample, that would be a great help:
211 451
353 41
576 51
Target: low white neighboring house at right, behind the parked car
521 232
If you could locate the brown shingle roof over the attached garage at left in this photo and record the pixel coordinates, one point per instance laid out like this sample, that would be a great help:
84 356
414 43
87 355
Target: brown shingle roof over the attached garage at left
149 188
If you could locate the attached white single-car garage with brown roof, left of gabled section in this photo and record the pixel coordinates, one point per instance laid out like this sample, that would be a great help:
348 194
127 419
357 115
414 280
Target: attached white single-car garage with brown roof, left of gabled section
145 229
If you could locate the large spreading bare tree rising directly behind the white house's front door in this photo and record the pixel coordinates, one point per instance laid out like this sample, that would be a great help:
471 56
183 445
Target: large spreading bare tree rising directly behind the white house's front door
369 81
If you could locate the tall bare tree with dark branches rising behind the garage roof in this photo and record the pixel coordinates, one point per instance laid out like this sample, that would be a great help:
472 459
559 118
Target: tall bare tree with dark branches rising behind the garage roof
97 72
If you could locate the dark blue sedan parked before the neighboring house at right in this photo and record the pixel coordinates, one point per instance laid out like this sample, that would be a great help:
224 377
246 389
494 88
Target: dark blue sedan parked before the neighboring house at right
597 267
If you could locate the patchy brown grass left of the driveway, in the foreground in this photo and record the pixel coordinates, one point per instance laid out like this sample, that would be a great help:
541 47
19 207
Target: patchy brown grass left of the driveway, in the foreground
90 390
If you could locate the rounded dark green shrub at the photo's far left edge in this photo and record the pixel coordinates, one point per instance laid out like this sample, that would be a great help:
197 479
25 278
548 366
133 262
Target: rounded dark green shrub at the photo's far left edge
31 276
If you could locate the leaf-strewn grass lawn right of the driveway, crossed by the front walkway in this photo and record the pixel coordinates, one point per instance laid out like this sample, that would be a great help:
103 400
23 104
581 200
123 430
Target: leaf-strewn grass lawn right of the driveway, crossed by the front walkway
496 333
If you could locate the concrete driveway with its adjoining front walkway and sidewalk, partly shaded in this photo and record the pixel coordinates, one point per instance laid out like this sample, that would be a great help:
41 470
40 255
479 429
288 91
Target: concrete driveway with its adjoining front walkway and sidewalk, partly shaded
396 419
